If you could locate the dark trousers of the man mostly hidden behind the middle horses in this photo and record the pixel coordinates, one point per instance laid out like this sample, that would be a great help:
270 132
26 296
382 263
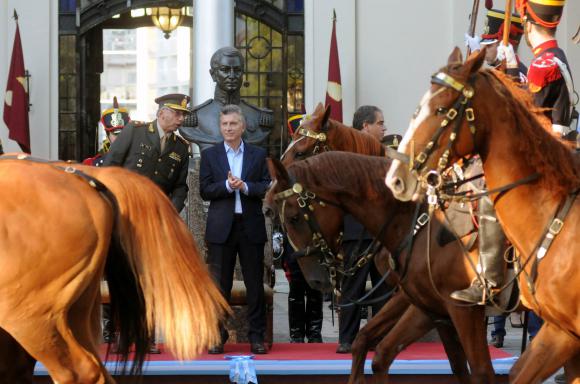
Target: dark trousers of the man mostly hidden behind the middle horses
353 288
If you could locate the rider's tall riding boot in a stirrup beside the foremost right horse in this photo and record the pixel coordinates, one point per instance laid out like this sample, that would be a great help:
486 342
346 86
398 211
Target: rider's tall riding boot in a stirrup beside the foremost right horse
491 249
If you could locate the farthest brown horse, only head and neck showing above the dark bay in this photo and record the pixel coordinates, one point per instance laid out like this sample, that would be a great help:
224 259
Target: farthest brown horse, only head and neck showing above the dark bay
318 134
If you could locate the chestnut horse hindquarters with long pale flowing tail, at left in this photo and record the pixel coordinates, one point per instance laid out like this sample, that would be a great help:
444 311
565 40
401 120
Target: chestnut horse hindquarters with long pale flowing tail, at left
58 236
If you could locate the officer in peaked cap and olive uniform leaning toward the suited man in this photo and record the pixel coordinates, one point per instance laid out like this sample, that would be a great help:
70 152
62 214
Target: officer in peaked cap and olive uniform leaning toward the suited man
154 150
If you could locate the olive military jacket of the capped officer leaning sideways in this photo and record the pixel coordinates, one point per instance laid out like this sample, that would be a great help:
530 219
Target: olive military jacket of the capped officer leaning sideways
138 148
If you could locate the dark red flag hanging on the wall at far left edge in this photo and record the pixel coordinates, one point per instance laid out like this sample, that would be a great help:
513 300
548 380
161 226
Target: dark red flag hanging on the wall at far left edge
16 99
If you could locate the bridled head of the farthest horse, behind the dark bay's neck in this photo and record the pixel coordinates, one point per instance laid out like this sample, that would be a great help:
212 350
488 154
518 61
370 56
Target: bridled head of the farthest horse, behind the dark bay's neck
310 138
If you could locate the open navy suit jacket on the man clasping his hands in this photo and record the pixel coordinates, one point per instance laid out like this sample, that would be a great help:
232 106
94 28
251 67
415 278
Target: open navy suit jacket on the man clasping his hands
213 174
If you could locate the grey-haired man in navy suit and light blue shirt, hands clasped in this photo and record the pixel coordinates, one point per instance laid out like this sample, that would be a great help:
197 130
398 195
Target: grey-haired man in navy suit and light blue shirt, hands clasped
234 178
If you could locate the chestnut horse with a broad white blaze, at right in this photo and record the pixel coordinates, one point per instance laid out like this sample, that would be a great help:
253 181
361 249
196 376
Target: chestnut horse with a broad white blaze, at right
514 142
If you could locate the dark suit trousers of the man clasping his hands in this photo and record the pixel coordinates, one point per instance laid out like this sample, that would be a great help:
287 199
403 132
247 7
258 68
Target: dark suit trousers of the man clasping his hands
222 261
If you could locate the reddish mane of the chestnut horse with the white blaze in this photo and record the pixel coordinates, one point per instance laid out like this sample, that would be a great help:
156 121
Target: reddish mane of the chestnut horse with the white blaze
537 145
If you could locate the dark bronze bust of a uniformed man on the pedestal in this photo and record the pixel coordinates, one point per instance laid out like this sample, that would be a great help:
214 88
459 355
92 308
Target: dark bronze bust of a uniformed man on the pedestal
203 124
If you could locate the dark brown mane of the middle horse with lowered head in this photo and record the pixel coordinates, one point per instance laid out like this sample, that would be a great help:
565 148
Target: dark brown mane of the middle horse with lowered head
343 173
